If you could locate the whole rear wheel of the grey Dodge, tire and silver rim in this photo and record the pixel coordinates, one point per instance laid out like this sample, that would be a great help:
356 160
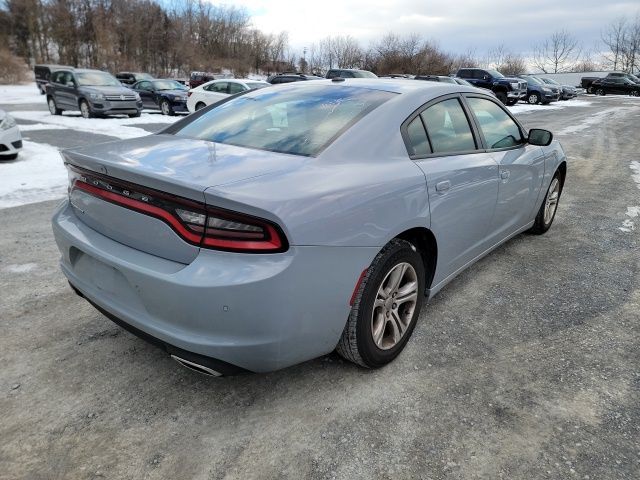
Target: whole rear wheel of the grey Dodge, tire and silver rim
386 307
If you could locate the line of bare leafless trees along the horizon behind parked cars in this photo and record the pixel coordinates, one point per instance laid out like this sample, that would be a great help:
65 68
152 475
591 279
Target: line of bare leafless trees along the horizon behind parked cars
173 39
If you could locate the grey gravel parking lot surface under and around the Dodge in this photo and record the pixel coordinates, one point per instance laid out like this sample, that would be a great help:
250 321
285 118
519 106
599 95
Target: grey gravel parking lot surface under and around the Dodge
526 366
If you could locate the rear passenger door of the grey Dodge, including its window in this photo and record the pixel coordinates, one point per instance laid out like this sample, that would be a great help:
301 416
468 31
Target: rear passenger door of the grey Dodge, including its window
462 181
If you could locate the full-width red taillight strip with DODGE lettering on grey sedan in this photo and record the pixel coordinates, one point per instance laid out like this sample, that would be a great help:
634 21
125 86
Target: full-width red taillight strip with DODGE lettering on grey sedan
194 222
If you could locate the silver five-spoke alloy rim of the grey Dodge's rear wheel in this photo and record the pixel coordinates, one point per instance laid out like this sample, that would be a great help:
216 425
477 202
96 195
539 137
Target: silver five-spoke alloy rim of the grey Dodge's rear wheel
394 305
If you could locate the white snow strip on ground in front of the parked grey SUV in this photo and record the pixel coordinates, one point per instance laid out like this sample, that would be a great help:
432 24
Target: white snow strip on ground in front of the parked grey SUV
115 127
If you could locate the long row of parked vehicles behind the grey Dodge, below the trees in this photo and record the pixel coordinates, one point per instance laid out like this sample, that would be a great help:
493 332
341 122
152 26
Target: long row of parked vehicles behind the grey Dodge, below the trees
98 93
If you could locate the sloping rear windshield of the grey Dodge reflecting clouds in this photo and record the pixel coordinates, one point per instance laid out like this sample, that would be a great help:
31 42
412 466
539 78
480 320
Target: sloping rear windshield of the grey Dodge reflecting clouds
299 121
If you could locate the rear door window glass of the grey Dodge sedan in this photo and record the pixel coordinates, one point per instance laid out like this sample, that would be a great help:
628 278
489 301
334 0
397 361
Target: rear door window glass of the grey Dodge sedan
448 127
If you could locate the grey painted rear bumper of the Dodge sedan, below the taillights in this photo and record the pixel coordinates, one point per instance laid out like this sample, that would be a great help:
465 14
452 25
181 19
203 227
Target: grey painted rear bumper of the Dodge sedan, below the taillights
258 312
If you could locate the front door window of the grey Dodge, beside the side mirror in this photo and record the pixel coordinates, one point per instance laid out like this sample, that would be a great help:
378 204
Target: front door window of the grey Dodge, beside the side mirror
498 128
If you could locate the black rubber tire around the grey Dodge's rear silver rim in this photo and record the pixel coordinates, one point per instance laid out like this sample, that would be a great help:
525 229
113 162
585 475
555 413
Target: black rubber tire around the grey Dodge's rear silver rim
357 344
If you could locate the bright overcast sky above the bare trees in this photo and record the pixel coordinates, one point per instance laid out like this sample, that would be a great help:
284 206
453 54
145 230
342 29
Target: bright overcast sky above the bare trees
457 25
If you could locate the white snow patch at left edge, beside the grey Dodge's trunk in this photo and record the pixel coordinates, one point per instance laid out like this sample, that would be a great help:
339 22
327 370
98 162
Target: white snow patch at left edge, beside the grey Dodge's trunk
37 175
